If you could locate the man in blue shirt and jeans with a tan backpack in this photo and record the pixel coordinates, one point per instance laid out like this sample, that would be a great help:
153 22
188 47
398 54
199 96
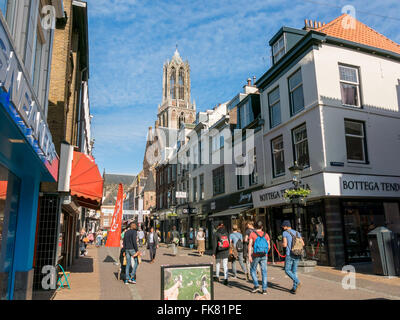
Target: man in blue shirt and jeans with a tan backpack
294 244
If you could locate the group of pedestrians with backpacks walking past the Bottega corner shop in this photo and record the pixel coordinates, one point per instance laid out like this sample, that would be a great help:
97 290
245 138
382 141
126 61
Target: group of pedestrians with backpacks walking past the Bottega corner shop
251 251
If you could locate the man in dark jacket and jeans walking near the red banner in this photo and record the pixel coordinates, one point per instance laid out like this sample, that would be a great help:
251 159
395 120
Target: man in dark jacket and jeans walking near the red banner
130 248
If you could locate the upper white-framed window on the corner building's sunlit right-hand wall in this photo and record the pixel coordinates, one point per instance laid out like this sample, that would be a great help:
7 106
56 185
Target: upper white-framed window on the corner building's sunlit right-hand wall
349 86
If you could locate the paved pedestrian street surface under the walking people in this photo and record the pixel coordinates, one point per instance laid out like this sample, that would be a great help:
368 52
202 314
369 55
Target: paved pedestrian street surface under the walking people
96 277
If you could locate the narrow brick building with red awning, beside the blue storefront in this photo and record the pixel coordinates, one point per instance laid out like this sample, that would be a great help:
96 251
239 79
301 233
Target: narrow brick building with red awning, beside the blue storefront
68 206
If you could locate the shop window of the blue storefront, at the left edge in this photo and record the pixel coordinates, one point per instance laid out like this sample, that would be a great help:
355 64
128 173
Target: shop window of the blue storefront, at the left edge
9 198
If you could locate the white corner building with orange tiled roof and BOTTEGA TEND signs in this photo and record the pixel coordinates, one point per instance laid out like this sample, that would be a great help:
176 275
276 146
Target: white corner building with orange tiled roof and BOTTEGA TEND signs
330 101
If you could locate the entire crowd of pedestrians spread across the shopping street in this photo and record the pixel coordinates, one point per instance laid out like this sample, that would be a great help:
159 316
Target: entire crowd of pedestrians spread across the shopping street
250 250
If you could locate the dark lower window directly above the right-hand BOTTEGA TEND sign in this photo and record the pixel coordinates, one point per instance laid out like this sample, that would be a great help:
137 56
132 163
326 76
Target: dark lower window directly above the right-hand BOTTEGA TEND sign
355 141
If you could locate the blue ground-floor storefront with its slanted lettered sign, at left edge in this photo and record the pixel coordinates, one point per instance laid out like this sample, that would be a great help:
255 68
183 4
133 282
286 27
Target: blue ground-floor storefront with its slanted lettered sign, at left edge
27 158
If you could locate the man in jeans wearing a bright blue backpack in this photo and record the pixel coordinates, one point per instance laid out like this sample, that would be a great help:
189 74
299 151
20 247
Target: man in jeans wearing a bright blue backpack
259 244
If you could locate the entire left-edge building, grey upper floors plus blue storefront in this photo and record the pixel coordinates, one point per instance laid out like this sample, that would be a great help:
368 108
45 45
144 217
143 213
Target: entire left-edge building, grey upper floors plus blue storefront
28 155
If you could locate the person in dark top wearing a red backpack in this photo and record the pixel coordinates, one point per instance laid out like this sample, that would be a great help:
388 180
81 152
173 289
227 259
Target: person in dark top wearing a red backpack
221 251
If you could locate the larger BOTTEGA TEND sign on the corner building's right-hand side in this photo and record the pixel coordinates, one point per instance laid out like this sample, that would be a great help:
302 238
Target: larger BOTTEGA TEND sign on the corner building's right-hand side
361 185
